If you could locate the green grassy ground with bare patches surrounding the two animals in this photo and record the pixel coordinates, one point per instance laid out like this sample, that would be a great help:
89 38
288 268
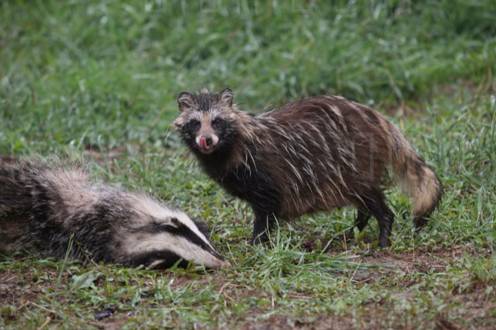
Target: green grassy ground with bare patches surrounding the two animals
95 82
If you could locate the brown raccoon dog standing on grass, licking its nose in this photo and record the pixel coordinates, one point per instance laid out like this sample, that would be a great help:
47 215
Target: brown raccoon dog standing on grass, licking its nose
310 155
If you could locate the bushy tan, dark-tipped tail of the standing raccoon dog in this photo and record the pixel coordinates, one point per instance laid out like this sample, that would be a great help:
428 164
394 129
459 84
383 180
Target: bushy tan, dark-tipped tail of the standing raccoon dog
415 177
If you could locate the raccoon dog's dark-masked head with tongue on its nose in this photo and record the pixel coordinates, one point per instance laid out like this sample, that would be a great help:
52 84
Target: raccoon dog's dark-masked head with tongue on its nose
207 120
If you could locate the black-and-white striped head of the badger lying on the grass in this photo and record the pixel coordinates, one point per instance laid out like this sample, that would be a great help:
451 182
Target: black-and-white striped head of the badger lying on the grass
159 237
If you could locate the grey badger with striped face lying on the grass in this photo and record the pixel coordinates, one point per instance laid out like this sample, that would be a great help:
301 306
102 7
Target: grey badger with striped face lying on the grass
58 212
